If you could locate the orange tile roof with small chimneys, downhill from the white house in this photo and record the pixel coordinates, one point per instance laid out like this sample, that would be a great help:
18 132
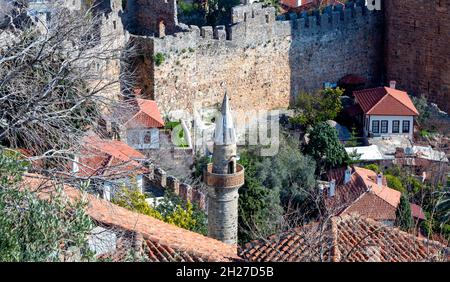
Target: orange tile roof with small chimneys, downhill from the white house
379 203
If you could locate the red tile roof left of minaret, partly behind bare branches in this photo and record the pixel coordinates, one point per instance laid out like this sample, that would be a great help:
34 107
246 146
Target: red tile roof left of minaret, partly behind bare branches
108 158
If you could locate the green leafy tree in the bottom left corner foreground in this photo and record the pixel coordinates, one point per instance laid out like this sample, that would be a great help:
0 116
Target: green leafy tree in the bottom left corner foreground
34 229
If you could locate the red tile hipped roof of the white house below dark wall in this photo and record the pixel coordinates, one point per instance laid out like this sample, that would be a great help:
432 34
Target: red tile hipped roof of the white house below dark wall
385 101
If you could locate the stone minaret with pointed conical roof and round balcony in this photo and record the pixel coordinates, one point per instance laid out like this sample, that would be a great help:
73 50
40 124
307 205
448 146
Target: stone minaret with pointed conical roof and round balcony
224 177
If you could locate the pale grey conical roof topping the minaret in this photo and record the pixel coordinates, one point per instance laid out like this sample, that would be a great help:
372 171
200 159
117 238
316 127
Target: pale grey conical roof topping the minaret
224 132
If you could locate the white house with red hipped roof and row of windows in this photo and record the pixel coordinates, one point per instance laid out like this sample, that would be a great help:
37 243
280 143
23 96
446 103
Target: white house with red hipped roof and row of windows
386 111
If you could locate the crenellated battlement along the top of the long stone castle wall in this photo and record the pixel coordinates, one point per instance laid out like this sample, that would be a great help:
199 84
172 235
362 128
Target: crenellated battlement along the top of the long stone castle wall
254 24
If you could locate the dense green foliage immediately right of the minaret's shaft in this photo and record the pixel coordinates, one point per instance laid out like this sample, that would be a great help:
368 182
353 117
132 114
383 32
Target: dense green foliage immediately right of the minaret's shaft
274 185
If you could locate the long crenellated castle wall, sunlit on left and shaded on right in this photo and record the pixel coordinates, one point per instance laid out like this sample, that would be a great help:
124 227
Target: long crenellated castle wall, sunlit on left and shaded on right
261 60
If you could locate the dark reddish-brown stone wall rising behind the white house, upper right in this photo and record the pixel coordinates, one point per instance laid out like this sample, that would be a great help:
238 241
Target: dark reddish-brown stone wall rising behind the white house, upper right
418 48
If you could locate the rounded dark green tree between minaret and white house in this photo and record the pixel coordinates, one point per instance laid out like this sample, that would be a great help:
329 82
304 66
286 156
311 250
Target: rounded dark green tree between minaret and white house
325 148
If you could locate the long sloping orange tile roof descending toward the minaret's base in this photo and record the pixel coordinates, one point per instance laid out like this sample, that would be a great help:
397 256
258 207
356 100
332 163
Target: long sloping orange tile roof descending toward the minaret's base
150 228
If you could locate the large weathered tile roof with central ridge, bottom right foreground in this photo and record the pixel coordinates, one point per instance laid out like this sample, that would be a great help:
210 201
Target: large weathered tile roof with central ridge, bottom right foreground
346 238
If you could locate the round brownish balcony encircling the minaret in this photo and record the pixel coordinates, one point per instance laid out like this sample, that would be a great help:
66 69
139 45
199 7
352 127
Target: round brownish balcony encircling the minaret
232 180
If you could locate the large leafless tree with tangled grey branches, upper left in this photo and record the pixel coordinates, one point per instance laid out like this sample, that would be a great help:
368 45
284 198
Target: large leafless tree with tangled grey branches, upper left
56 79
